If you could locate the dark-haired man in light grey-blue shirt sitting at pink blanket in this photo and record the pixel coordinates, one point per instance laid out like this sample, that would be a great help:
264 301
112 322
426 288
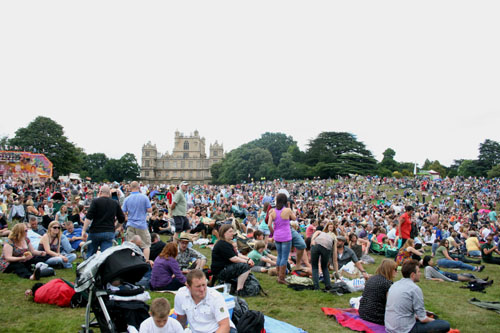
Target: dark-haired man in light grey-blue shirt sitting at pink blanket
404 311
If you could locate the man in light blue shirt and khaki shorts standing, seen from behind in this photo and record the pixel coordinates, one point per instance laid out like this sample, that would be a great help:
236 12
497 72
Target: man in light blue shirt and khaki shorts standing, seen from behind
136 206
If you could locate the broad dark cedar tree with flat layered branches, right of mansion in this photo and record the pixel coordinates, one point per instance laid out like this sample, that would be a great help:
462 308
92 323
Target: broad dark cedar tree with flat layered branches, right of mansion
341 153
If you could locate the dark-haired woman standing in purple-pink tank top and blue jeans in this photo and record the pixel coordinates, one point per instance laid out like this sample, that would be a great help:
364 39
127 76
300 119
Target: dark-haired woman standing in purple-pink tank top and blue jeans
279 219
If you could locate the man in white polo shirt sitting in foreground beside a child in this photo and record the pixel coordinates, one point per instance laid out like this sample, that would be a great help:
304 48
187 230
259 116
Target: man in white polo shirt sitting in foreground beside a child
205 309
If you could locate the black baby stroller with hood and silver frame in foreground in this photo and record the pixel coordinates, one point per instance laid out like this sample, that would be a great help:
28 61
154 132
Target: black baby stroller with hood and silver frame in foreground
115 309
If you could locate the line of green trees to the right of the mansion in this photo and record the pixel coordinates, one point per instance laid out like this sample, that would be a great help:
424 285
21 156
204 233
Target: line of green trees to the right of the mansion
332 154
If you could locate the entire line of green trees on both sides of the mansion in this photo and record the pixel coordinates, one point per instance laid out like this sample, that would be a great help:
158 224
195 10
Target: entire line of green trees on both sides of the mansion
272 156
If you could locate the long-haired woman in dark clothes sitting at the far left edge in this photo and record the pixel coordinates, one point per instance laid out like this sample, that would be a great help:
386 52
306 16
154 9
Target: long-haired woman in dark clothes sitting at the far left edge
18 254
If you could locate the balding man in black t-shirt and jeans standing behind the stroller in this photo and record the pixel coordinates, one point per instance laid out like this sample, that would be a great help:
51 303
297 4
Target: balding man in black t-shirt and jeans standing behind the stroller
101 217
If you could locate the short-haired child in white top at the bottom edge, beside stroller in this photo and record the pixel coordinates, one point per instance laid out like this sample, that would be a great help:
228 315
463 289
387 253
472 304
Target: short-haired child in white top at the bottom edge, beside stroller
160 320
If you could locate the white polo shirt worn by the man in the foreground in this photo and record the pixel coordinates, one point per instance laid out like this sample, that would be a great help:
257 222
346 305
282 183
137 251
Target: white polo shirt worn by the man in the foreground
204 316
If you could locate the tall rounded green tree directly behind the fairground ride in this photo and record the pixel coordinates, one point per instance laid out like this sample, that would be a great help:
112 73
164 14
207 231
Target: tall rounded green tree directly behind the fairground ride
43 135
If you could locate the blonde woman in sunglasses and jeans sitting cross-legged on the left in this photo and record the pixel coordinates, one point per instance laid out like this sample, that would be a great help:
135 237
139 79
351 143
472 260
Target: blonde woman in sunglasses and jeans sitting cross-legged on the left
51 243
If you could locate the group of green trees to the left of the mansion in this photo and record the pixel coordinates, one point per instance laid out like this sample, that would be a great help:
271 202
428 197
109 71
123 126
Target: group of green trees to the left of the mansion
44 135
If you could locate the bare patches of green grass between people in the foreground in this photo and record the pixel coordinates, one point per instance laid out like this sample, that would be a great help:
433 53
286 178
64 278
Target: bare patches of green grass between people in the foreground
302 309
